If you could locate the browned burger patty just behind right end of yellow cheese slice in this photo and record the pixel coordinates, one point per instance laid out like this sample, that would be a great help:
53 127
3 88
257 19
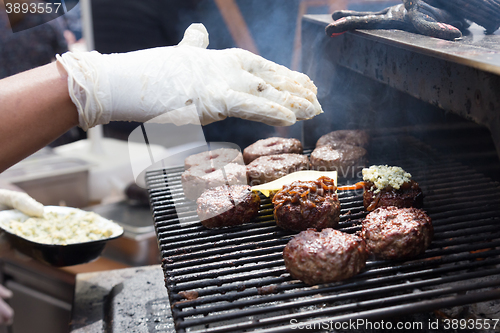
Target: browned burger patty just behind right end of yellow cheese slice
347 160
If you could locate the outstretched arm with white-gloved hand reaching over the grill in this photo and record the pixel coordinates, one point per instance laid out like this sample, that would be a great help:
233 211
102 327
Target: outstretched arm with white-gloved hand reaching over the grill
39 105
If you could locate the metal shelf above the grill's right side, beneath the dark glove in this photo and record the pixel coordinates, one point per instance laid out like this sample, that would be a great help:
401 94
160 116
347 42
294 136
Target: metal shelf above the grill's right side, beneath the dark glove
462 77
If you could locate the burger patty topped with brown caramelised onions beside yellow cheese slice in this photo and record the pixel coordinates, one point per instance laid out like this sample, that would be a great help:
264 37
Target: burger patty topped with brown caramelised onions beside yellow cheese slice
307 204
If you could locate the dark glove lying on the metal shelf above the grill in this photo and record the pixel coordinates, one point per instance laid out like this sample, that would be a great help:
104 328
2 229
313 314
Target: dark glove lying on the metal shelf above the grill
414 16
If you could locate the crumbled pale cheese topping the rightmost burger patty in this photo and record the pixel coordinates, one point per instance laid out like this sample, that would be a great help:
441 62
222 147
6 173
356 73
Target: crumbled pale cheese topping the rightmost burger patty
383 176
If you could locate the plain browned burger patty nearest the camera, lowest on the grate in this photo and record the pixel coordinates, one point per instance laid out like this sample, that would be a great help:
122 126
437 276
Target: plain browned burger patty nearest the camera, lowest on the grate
326 256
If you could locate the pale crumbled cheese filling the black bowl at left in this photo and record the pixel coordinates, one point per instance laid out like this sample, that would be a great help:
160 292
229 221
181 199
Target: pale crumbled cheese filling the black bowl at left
62 227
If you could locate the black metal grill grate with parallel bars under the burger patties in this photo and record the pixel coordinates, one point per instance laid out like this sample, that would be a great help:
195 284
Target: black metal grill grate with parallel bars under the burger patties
234 279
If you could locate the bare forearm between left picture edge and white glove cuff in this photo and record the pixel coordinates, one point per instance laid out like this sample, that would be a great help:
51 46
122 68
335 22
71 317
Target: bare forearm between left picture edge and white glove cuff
35 109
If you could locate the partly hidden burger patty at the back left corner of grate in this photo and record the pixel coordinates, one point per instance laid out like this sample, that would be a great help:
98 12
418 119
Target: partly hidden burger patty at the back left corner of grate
214 158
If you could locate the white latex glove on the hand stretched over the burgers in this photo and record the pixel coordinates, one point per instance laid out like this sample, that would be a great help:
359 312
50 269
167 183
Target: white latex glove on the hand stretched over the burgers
141 85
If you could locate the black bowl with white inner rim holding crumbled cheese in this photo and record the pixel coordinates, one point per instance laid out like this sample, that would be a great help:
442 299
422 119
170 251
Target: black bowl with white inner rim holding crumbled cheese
56 254
